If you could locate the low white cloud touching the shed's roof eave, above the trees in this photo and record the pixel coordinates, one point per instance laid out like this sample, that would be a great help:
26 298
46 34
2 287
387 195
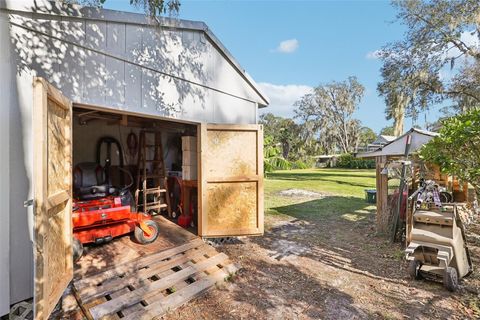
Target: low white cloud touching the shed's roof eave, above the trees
282 97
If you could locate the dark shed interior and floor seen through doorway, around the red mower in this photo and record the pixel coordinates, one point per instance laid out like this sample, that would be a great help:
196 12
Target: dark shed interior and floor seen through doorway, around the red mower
134 152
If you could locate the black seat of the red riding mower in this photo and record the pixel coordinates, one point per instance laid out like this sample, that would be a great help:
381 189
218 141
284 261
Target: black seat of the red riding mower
89 182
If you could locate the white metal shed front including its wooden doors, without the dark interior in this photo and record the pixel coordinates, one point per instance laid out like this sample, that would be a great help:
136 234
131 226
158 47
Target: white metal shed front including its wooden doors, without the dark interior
109 61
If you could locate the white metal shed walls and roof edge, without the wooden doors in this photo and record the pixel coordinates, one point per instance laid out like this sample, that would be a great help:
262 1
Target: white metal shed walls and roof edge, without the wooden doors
170 69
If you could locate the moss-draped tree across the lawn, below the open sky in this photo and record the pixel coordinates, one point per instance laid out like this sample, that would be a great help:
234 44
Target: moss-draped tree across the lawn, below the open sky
329 110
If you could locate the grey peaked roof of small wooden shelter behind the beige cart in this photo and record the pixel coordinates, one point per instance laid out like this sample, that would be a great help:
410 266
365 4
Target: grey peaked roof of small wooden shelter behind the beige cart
397 146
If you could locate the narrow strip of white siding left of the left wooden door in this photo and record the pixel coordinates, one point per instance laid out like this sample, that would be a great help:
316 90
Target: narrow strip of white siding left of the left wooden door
16 255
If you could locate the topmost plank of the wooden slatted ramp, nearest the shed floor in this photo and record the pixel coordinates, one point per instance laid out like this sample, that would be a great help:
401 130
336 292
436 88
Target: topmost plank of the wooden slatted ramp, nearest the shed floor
132 266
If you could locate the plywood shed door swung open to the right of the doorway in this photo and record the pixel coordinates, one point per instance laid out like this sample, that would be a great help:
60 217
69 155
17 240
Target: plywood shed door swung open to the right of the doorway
231 180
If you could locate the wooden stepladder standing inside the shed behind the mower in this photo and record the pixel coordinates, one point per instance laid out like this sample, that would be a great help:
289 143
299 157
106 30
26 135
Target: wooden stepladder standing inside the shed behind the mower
152 188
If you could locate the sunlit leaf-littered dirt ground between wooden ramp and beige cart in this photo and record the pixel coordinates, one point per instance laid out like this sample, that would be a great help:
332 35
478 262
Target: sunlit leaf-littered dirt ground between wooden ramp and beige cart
329 269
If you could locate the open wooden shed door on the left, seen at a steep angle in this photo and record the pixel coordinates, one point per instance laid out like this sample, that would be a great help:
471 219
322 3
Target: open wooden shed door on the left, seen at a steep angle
52 143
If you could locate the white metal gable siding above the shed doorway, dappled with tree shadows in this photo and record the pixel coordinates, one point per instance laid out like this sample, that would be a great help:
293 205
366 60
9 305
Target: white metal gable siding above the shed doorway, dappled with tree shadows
128 66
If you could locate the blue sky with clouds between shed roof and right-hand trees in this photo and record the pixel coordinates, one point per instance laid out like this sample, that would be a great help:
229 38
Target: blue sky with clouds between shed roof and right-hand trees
322 41
